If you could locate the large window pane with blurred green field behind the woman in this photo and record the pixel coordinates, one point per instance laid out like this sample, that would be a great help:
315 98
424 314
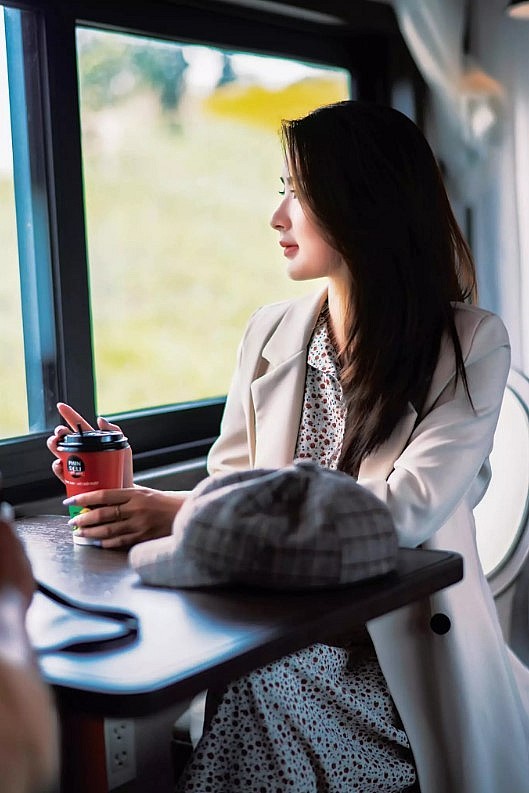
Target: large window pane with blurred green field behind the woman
181 164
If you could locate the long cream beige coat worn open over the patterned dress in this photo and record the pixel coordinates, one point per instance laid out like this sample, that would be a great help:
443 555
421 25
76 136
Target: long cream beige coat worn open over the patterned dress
462 696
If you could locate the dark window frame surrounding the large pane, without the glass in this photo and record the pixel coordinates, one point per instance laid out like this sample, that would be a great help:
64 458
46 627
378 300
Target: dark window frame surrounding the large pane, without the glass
178 432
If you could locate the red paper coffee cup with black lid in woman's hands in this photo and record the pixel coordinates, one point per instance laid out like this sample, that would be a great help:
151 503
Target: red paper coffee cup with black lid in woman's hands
92 460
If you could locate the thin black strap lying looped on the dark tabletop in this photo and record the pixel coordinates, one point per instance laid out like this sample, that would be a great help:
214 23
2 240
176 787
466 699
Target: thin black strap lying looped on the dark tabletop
127 621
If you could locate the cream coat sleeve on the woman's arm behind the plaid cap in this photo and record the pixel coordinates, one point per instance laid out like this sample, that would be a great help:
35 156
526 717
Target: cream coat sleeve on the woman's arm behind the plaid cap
443 462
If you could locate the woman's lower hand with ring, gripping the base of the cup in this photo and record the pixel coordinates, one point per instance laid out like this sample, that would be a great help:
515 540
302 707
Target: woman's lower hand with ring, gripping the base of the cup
121 518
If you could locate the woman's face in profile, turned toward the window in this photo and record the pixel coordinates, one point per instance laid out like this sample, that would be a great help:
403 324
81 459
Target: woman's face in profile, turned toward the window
307 253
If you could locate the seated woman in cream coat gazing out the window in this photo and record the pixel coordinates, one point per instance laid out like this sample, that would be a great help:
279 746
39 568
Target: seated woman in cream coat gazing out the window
389 375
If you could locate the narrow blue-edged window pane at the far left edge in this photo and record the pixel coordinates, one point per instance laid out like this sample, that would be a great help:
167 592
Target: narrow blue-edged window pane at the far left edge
27 358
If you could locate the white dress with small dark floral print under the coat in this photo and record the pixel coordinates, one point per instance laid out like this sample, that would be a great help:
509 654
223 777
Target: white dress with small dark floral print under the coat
320 720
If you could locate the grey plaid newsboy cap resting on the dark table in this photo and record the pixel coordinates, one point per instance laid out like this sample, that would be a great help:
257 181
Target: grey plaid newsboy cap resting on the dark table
297 527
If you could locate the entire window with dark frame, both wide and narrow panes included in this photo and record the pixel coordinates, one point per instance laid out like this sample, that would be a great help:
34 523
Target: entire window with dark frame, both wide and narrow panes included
139 166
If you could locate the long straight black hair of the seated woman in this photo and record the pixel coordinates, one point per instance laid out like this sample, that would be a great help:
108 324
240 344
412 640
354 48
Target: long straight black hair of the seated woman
369 179
